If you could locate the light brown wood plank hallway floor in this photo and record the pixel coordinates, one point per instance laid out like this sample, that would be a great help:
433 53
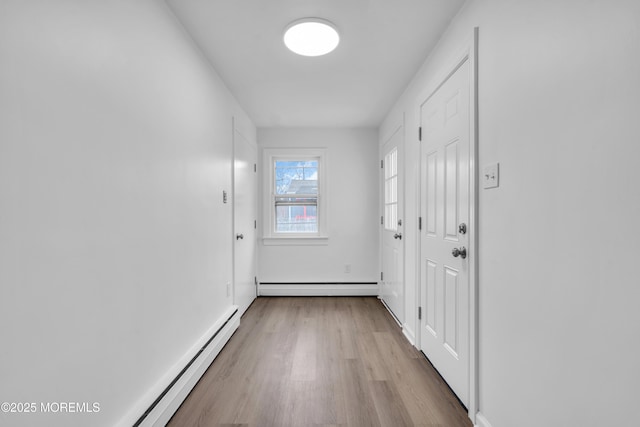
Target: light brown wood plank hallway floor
320 361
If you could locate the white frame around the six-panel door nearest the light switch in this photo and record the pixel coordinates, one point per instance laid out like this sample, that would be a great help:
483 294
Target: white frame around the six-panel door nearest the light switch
468 53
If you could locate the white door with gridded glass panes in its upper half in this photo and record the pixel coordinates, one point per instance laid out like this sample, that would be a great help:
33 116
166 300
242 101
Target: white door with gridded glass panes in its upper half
392 281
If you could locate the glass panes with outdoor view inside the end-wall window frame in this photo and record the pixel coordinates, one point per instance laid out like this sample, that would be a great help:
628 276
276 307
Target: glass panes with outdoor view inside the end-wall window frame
296 196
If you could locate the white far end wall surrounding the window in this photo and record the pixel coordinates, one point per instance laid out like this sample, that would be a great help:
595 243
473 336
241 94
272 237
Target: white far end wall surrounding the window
352 222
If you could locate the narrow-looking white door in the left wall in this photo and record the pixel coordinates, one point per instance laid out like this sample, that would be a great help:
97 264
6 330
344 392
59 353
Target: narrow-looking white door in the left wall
244 217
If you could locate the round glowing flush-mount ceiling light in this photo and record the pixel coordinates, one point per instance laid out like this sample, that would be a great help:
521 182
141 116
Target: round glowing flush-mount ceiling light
311 37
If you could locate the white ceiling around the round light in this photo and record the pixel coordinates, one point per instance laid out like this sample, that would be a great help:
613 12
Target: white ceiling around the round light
383 43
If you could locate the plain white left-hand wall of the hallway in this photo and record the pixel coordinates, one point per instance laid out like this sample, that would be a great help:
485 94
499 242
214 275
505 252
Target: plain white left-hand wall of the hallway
115 247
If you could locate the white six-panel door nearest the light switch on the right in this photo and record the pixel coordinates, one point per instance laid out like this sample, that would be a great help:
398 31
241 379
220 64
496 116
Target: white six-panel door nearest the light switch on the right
444 238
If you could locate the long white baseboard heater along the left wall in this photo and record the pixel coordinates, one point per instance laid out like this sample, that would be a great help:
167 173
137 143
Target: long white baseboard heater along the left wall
170 403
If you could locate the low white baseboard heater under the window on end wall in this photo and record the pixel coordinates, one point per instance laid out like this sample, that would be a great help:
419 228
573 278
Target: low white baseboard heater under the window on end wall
307 289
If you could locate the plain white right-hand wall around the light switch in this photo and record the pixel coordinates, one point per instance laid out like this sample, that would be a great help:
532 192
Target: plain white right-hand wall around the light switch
559 101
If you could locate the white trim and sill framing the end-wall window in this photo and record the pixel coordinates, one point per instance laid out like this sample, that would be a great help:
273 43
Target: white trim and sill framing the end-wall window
270 236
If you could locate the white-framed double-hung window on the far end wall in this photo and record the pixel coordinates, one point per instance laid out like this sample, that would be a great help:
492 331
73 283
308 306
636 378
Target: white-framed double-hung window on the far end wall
294 208
